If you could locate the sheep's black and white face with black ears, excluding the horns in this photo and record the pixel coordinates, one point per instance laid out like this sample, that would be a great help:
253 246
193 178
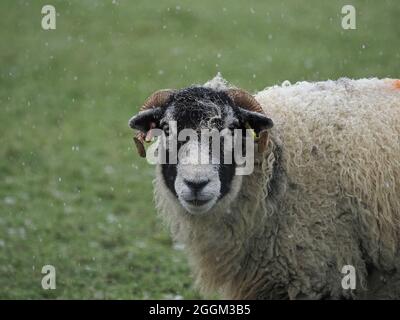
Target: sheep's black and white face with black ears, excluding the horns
199 185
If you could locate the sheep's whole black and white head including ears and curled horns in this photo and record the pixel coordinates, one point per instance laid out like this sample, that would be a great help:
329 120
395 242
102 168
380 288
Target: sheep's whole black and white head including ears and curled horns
197 184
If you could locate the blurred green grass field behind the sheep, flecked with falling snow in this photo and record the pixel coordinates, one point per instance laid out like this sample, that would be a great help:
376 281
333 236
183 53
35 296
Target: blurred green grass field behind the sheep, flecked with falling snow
73 193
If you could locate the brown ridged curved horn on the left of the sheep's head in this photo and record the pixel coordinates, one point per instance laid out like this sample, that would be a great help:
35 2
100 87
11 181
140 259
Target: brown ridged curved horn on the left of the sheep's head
157 99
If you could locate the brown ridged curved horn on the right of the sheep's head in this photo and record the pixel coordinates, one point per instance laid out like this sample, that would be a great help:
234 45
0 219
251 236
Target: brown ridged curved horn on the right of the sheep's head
246 101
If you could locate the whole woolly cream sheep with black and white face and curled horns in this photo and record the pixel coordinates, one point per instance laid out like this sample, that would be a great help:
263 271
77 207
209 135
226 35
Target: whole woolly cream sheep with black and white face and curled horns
324 192
